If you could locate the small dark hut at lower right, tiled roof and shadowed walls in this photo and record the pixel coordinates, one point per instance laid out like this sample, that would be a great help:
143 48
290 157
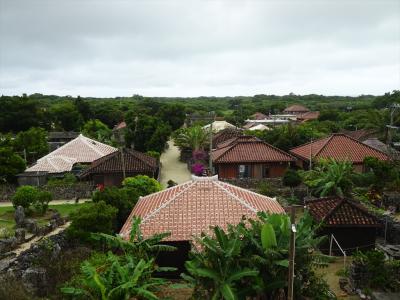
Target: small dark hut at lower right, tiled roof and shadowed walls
348 221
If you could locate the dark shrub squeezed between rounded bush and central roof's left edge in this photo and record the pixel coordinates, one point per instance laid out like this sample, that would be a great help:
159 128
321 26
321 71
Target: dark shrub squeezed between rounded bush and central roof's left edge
119 199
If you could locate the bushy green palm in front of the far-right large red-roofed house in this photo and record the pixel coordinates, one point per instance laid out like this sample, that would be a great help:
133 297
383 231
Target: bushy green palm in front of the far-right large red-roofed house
330 178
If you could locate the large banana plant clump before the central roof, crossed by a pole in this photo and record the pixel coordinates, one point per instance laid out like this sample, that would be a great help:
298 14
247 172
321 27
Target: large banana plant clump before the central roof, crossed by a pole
251 259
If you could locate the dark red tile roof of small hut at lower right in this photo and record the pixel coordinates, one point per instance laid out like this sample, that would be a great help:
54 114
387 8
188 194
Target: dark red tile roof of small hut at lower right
340 212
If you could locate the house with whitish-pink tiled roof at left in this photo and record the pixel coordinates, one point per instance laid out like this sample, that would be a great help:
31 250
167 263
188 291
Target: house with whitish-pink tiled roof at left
67 158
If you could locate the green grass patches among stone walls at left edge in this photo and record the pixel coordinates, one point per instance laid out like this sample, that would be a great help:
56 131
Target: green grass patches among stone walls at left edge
7 215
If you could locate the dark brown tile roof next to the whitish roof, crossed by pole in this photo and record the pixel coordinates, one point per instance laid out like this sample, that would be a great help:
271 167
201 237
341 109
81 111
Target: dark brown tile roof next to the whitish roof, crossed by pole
134 162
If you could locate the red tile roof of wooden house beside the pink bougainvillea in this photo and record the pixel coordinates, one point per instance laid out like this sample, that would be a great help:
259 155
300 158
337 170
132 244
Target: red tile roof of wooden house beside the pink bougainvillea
249 151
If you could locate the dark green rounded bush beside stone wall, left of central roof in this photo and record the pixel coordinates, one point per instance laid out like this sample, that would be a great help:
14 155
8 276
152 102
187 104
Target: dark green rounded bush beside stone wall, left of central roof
96 217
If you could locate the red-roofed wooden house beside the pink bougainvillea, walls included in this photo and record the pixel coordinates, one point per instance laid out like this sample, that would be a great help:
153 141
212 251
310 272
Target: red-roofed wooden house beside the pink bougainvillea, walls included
249 157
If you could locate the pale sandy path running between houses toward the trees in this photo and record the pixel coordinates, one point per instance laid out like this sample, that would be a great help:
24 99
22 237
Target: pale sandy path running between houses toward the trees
172 167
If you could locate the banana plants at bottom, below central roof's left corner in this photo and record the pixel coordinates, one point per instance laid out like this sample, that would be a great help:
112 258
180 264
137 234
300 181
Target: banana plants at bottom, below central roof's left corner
125 276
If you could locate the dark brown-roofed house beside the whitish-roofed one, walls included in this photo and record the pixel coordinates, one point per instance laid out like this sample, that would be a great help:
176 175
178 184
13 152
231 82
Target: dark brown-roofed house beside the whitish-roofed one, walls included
111 169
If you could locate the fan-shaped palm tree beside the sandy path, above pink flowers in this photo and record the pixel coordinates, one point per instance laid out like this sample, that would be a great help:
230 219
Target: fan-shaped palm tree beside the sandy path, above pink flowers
194 138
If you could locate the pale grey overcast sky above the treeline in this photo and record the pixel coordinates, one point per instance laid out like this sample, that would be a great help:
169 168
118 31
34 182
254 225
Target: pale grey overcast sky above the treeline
199 48
